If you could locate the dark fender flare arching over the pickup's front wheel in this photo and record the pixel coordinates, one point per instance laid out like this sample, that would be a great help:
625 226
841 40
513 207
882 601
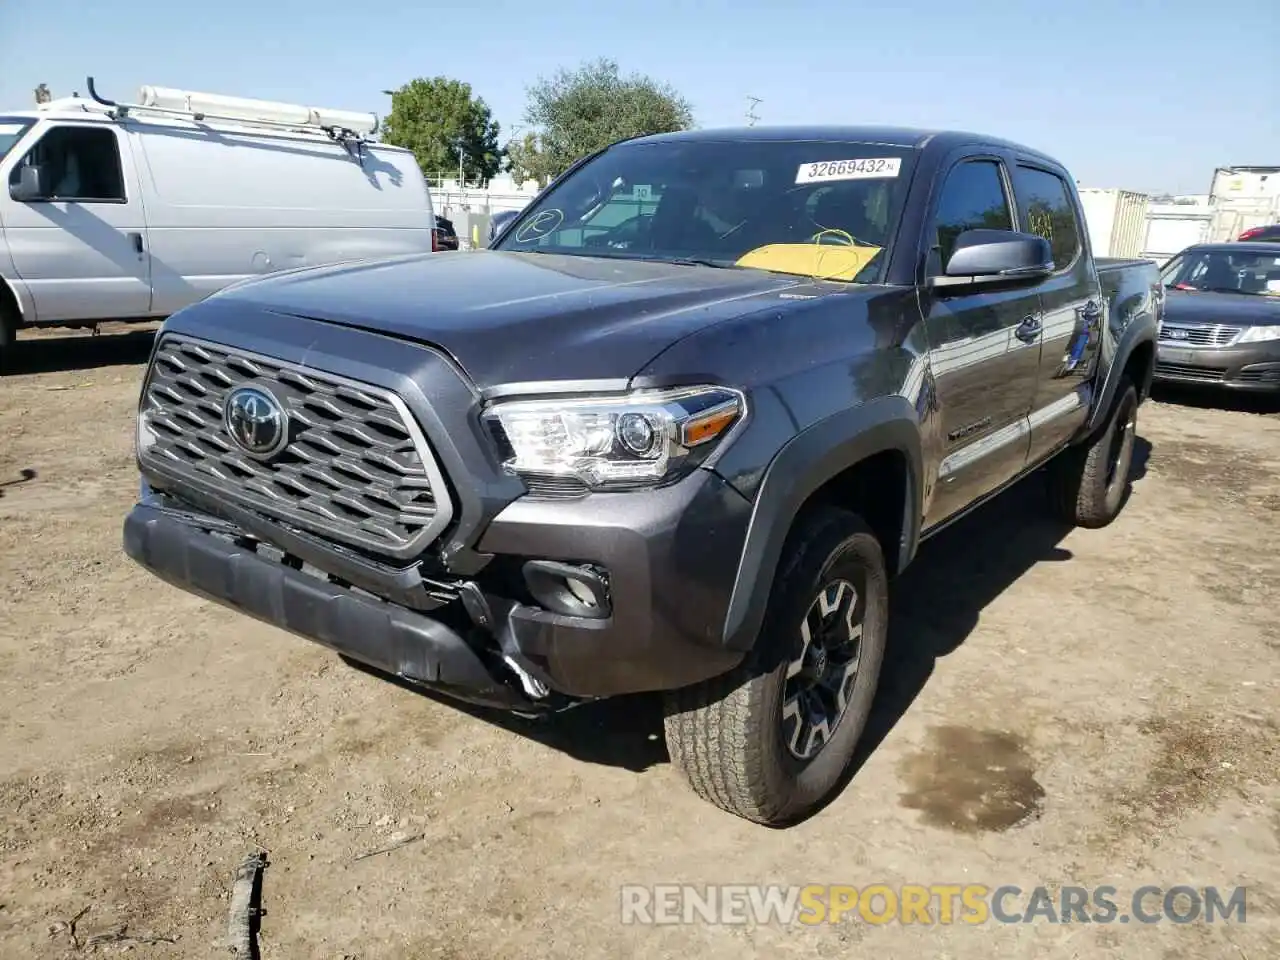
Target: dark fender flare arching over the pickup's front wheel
804 464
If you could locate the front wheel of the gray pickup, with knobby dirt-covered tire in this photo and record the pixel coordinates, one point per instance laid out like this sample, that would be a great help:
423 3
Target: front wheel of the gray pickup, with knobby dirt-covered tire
734 738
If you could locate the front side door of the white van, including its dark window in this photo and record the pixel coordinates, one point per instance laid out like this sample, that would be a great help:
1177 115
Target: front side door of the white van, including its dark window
80 245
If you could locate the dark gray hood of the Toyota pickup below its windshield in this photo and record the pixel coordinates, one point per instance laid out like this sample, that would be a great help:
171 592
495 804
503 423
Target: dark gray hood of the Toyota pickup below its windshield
519 318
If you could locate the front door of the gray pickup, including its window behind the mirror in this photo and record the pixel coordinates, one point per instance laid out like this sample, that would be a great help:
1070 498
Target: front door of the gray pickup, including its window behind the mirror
984 349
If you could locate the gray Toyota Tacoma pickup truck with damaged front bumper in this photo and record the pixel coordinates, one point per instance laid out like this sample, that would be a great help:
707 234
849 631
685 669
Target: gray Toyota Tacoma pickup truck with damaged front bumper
678 431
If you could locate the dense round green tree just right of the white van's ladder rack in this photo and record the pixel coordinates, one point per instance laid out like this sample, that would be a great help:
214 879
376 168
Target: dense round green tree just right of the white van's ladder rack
437 117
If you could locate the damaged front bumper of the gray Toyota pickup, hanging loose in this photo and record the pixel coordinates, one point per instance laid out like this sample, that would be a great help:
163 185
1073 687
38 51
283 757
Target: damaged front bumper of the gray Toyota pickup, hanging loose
666 563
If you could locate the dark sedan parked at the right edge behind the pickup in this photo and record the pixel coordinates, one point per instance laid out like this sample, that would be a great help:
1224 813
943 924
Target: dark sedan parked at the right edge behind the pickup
1223 317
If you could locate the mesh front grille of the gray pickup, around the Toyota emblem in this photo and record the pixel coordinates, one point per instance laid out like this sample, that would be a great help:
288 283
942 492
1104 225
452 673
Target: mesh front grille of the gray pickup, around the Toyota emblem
356 467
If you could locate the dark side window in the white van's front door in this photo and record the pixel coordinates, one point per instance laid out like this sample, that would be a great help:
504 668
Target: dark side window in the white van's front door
80 164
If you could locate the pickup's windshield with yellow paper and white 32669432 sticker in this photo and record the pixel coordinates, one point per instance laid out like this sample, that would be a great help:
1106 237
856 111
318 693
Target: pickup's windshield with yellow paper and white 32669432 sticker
815 209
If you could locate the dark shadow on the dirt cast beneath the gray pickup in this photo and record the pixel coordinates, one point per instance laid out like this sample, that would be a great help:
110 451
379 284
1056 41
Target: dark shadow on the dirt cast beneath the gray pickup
935 606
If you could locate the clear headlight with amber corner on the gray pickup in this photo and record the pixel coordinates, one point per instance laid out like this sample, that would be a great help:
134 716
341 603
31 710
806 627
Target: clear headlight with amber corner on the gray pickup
639 440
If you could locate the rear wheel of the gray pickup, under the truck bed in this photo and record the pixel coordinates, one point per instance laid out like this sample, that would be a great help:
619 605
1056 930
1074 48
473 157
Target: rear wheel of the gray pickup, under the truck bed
1089 484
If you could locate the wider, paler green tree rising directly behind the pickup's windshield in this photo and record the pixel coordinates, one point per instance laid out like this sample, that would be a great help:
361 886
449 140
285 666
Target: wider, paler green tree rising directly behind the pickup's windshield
579 112
